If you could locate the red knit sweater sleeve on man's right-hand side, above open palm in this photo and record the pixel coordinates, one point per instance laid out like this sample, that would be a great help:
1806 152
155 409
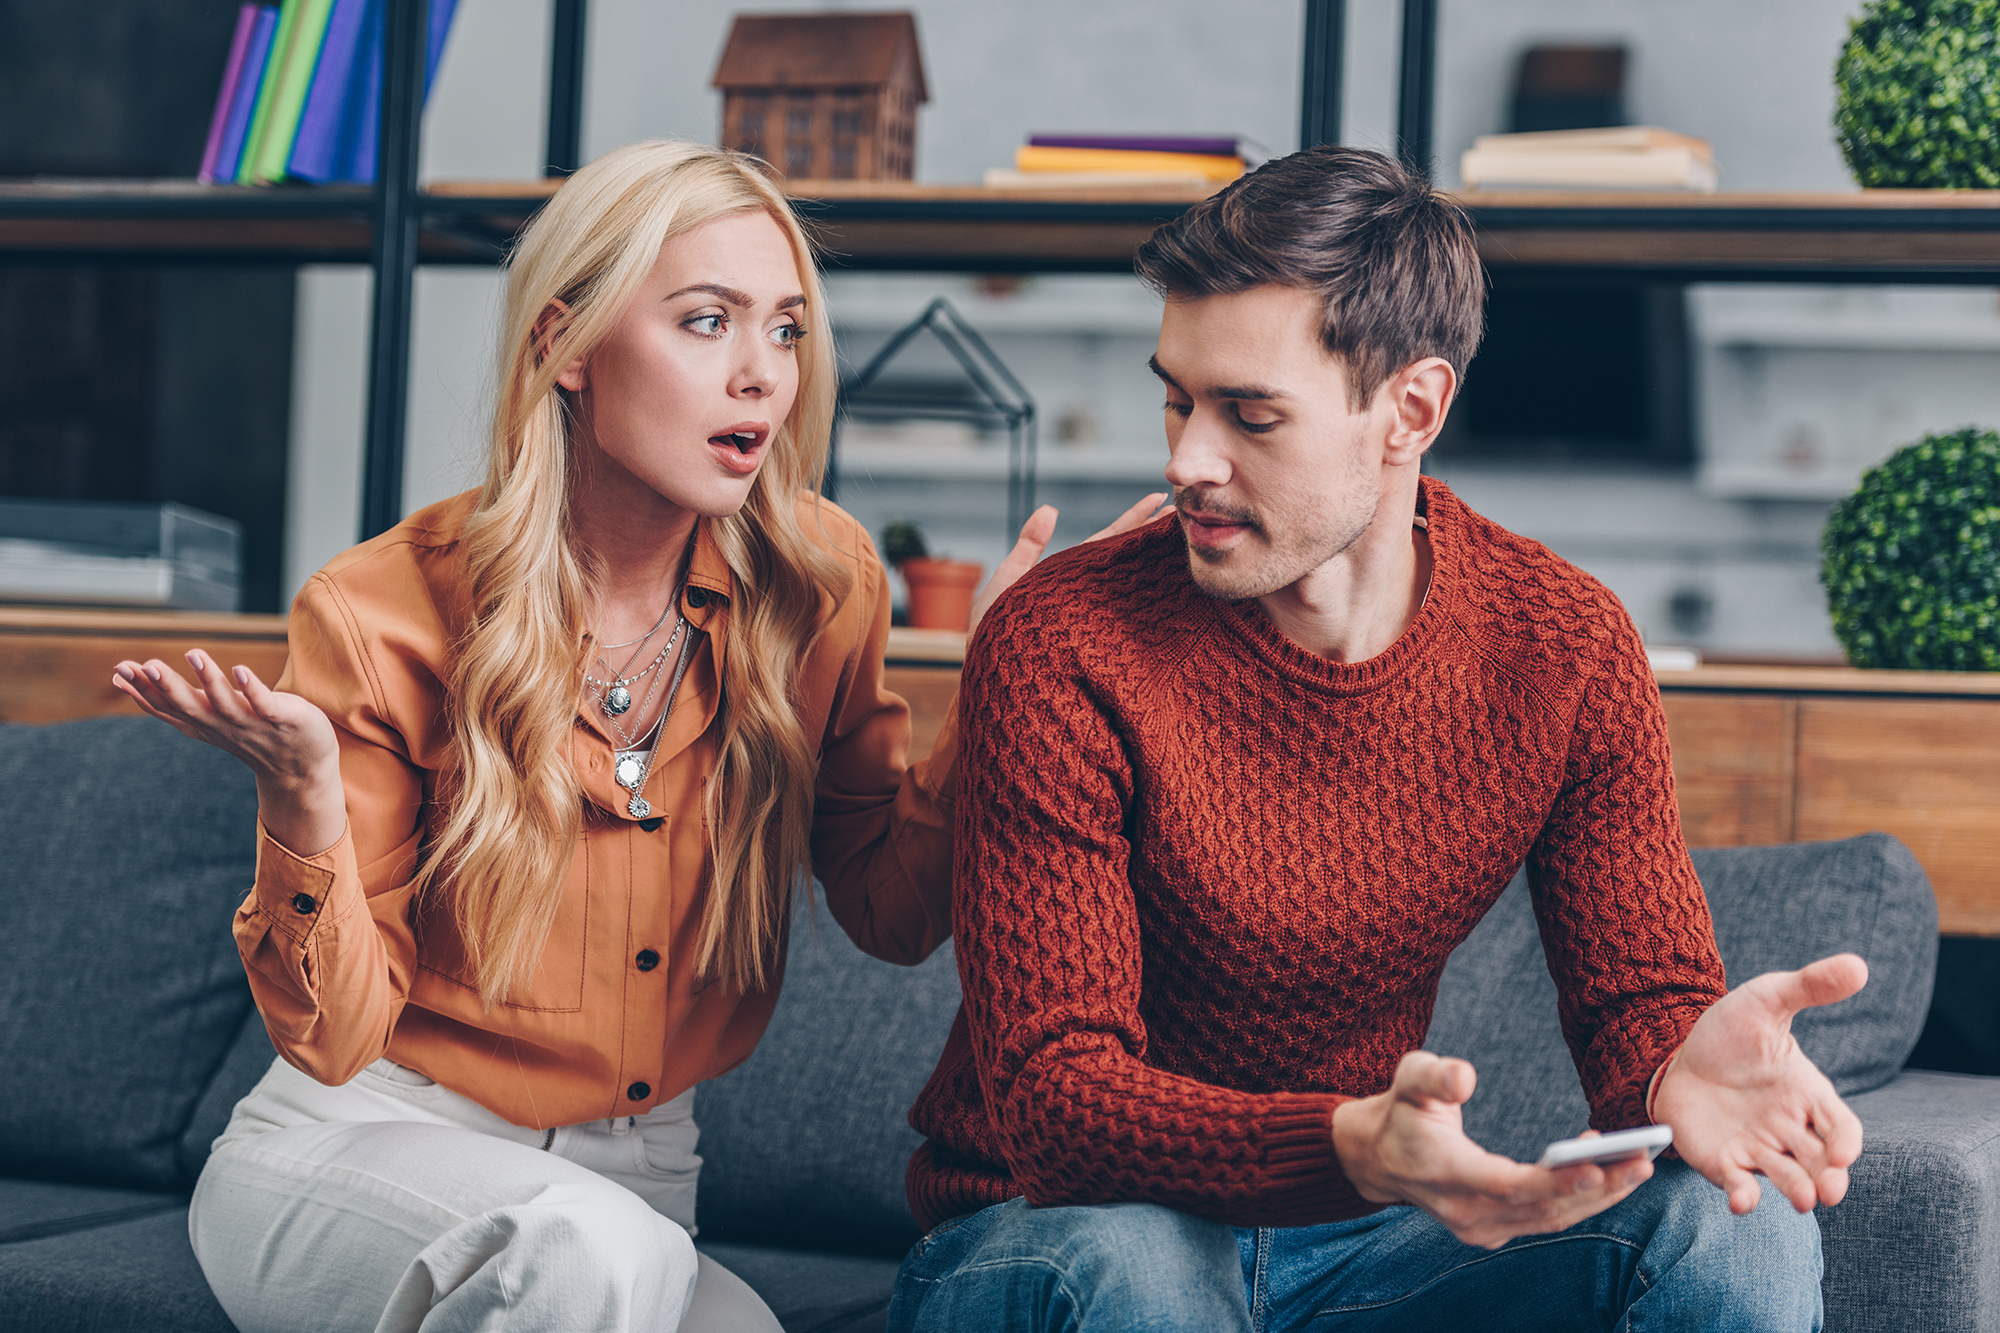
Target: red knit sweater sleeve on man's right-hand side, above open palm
1623 916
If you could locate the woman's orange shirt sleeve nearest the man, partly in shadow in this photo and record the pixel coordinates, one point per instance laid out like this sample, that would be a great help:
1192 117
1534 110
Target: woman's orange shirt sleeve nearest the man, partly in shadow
881 826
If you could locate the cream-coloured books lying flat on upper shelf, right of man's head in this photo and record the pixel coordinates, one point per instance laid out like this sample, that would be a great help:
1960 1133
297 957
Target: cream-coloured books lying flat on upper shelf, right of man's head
1617 159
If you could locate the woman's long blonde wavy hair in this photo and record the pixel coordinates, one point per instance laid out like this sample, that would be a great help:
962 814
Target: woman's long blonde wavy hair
511 800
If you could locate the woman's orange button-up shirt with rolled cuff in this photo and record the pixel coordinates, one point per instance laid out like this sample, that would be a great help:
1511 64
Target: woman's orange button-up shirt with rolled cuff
349 966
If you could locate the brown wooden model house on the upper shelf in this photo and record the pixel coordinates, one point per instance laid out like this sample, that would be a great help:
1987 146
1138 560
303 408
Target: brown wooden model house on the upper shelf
825 95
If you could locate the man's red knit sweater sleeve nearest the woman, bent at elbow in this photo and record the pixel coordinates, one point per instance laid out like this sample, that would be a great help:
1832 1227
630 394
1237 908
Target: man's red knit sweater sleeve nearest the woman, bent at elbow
1053 960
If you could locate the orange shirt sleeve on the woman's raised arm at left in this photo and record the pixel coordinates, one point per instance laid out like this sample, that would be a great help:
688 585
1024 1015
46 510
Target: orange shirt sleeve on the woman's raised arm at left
325 934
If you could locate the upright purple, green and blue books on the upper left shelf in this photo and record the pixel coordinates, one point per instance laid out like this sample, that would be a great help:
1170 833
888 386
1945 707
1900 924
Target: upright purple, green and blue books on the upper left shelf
303 93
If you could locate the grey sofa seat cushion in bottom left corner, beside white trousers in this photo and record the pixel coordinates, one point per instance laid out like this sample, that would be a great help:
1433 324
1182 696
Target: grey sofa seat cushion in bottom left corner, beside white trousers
111 1280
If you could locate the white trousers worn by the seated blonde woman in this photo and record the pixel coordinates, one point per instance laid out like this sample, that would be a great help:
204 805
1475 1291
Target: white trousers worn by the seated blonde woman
393 1204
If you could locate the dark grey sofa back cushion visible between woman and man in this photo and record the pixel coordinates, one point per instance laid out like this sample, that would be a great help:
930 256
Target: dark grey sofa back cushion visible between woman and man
807 1142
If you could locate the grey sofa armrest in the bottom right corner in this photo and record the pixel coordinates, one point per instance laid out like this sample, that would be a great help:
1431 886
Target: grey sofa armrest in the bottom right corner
1913 1244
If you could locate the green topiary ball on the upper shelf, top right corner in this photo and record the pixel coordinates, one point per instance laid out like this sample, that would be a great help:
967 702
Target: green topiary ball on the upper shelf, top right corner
1919 95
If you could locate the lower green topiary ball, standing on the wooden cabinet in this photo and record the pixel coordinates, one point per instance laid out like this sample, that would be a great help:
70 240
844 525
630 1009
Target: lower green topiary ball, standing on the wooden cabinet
1913 559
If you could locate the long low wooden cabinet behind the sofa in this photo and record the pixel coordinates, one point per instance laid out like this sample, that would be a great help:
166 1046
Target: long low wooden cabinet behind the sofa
1761 754
